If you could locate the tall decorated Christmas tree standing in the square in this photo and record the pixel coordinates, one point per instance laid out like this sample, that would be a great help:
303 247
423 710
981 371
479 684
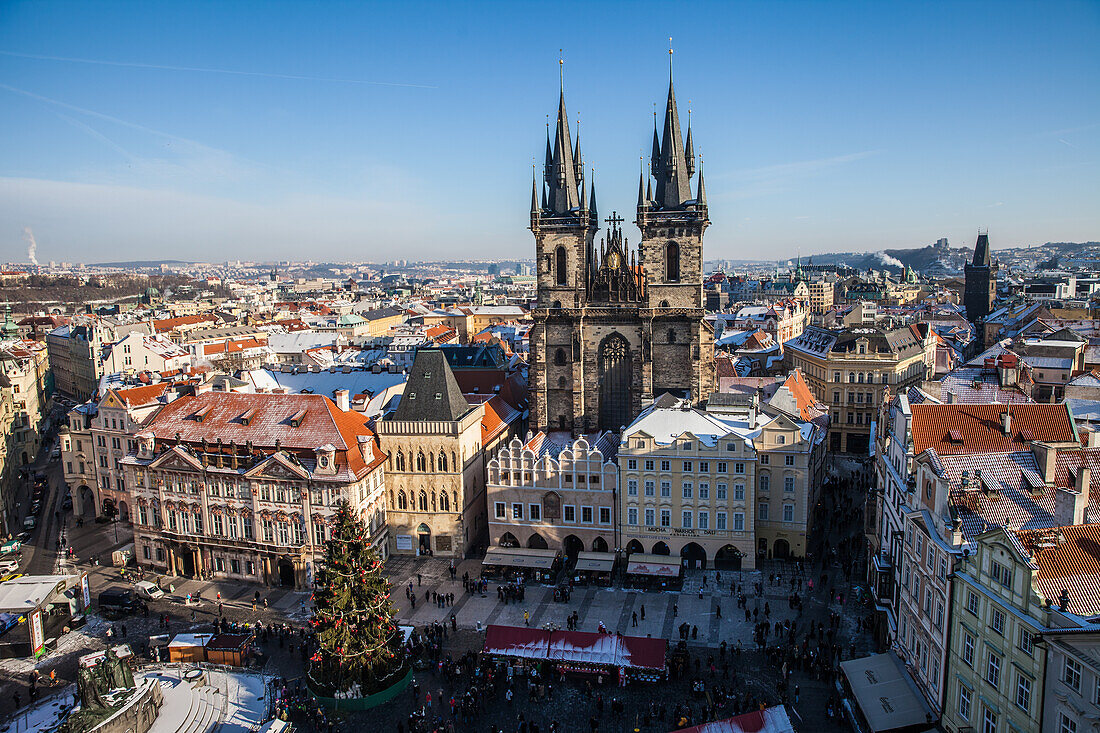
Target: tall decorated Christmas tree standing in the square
359 642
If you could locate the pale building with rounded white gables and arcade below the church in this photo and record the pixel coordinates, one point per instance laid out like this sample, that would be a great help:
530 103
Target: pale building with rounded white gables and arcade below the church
557 496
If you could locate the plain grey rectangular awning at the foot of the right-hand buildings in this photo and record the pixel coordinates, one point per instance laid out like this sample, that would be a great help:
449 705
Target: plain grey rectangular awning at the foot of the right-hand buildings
887 695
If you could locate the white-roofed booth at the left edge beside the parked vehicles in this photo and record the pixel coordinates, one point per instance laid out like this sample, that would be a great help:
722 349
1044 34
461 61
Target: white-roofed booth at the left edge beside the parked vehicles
37 610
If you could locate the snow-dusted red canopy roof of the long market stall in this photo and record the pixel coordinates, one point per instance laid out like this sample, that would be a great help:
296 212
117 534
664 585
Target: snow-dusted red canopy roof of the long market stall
576 648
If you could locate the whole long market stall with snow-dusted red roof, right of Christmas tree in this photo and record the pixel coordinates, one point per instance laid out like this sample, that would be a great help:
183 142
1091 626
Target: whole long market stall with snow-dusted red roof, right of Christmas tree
631 658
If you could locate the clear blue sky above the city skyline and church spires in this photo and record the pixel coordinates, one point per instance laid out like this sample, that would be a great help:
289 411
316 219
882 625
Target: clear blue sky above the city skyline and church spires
373 132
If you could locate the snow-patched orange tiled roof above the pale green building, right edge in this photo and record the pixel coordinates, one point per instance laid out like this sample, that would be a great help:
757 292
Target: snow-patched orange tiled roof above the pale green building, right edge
1073 565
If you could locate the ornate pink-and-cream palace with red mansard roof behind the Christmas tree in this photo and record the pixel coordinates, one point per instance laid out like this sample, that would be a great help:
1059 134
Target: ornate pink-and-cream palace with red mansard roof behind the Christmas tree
246 487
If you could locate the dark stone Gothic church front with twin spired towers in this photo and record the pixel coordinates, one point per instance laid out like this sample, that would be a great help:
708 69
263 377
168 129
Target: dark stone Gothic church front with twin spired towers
617 327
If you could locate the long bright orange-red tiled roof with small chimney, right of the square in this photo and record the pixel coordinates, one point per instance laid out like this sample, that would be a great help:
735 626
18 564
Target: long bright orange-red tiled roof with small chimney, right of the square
981 428
